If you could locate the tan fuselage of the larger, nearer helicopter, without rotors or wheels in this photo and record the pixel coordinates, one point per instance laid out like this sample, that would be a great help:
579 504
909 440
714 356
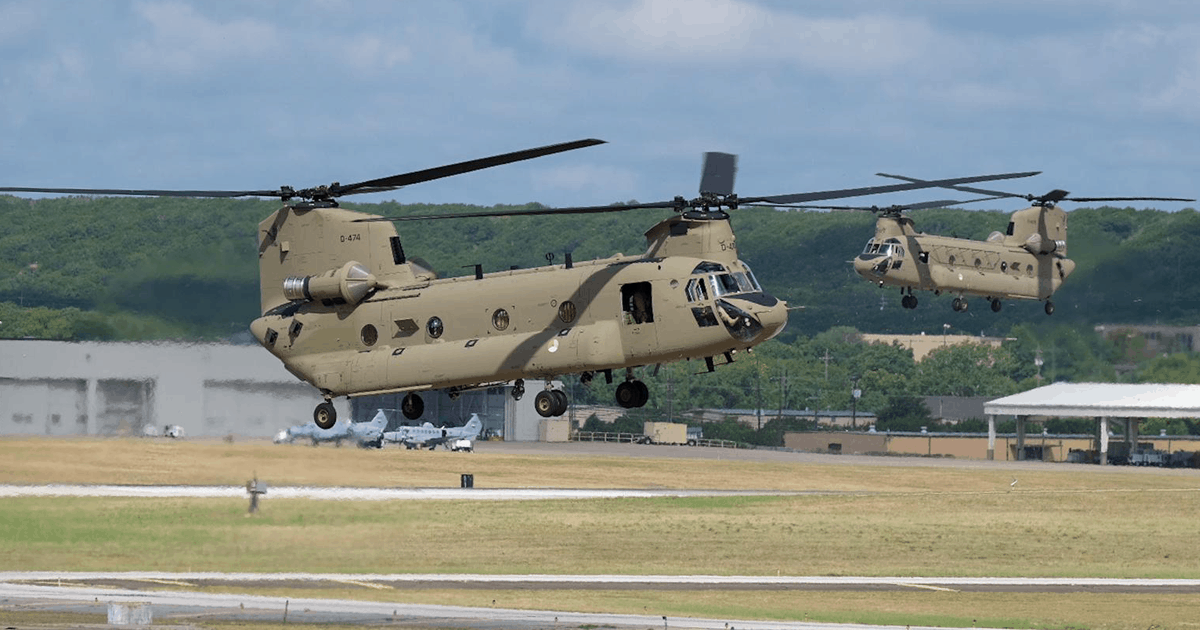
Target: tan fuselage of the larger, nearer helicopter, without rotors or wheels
412 332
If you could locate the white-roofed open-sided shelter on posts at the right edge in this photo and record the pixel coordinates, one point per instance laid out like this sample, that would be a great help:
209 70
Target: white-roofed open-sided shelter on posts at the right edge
1129 403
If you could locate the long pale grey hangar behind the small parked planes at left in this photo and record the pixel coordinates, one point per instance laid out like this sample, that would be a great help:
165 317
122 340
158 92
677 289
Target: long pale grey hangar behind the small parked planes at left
58 388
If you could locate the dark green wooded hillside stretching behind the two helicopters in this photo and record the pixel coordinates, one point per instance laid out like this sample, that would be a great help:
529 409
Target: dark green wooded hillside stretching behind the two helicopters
130 268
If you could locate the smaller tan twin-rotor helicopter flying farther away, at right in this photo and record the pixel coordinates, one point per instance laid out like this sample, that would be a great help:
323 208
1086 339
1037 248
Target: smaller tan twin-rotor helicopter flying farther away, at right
1028 262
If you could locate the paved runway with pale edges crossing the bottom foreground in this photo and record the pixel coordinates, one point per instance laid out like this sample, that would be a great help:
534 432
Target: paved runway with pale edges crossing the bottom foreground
92 592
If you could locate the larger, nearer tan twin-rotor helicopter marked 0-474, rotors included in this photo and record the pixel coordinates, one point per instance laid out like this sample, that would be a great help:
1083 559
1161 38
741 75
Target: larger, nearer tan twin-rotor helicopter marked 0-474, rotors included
347 313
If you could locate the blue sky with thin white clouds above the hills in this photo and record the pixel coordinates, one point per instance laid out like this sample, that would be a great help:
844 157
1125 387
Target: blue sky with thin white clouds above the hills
1103 97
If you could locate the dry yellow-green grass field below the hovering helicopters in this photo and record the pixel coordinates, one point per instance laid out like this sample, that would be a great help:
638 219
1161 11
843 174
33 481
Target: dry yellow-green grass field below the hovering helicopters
865 520
